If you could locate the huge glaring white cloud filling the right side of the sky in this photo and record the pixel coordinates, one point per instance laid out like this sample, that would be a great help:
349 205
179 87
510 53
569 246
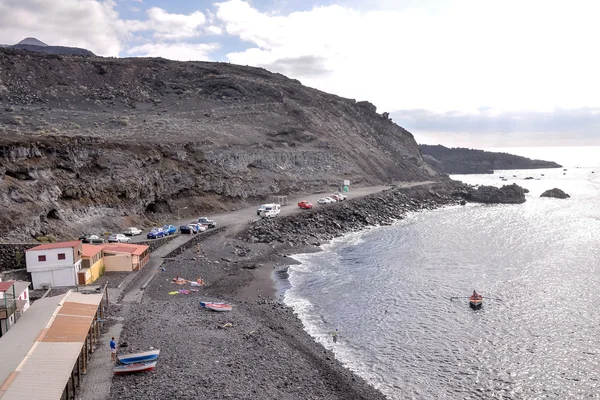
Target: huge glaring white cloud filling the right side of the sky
454 55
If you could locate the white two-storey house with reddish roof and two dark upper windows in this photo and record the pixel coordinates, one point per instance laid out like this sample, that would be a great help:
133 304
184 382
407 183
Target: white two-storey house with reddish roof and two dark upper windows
54 264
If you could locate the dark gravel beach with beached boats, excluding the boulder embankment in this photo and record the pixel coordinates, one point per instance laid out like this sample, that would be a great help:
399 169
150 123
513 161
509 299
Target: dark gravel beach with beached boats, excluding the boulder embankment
264 354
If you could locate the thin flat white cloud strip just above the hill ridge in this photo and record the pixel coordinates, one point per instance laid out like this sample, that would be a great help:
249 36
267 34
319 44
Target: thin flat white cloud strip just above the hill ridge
175 51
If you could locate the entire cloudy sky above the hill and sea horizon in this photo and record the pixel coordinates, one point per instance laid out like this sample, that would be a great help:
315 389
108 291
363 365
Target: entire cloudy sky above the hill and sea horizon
470 73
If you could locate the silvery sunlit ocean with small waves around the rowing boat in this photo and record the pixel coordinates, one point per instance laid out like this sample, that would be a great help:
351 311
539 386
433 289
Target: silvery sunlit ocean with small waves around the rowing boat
388 292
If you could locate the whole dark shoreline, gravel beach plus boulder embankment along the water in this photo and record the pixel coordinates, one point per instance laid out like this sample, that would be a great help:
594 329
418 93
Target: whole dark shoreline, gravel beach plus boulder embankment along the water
265 352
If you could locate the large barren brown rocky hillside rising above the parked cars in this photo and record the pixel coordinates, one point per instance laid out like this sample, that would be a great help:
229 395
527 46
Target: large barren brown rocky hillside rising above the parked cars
91 144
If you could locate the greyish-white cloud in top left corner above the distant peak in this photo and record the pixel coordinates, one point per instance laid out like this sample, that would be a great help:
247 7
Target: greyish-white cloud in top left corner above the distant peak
89 24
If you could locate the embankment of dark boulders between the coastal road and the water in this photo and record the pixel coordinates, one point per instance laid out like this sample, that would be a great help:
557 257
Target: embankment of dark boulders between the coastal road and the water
325 223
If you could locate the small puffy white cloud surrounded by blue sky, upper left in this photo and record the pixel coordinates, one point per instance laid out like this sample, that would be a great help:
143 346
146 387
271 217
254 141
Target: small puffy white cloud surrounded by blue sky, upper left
174 26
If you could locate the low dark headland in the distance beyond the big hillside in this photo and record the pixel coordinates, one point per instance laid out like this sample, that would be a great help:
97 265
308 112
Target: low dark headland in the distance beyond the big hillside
470 161
